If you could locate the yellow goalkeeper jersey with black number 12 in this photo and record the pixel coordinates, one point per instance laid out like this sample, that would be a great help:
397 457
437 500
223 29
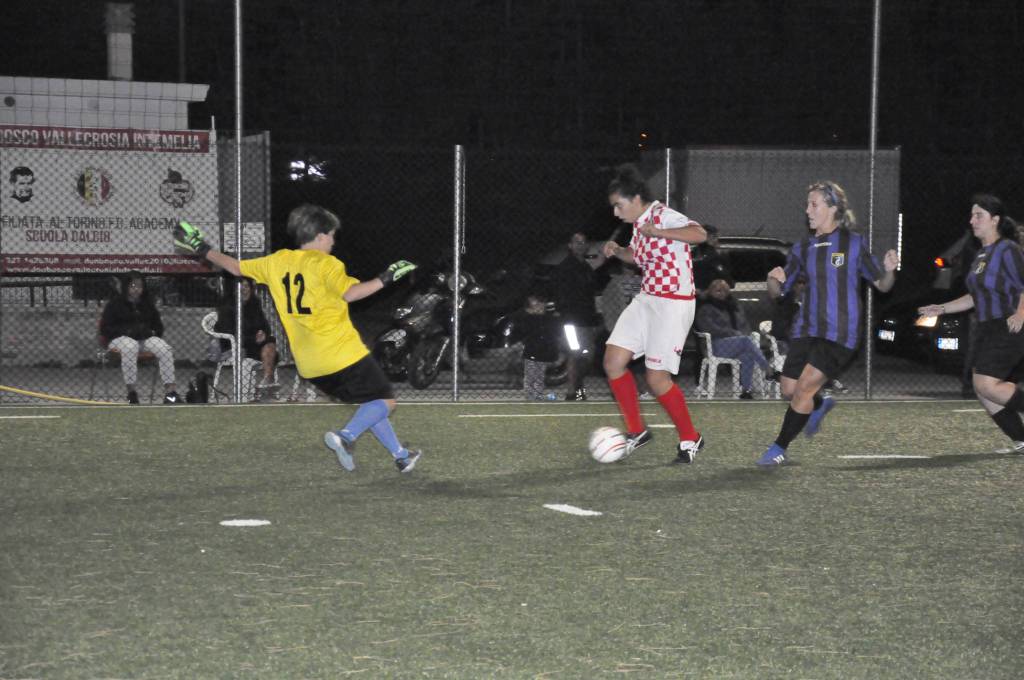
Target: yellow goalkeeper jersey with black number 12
307 286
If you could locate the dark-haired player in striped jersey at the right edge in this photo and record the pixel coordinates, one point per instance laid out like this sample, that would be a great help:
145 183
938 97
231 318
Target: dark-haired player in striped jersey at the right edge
996 284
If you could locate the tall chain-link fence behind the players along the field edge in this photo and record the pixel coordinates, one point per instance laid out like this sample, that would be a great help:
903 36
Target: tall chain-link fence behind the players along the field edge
81 208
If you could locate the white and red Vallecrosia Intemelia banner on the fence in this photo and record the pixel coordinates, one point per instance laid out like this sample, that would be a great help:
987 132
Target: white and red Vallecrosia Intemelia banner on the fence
90 200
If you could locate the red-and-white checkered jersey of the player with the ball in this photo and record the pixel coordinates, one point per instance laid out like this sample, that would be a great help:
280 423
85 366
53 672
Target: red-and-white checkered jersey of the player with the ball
667 266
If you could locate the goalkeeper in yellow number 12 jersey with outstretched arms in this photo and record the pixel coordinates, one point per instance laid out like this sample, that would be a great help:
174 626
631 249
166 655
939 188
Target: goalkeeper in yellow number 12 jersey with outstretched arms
312 292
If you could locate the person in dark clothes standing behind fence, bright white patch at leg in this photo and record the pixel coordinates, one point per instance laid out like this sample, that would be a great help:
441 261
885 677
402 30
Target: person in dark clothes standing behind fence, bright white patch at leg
575 290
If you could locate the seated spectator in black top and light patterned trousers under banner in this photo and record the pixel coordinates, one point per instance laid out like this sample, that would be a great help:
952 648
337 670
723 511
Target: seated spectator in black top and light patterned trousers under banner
131 324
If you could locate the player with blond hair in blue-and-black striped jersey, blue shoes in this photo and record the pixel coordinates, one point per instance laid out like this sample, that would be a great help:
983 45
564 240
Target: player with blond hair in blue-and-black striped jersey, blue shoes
827 329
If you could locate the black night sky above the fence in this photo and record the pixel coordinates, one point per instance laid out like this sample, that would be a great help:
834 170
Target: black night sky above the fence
588 74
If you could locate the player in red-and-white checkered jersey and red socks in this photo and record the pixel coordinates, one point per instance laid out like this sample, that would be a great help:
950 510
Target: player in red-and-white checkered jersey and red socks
657 322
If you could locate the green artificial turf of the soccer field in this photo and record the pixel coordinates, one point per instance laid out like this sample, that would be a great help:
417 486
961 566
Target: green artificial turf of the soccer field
114 563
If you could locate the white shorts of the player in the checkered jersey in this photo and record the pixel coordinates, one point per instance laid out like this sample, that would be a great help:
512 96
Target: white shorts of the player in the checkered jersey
655 328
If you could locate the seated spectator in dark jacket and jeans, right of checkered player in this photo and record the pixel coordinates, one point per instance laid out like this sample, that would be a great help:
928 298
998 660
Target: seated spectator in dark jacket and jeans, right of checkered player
721 318
